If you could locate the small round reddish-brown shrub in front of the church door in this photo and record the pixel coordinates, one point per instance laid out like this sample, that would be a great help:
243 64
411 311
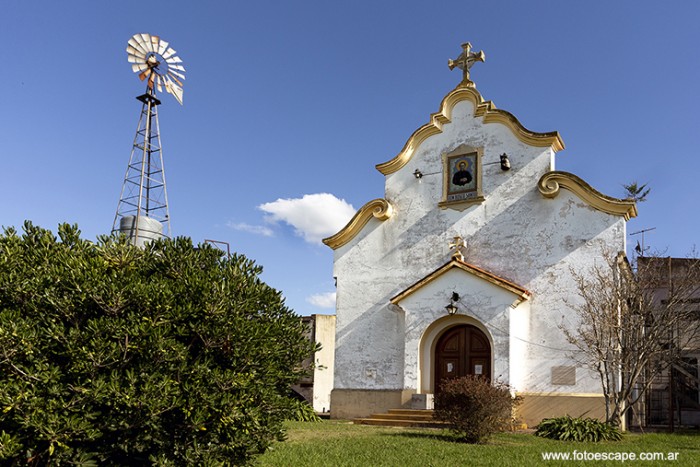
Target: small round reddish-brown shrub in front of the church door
474 408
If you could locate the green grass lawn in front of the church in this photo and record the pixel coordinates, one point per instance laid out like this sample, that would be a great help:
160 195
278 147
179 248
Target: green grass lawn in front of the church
340 443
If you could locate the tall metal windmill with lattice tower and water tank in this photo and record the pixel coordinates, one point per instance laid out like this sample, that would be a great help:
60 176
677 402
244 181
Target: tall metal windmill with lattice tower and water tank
143 203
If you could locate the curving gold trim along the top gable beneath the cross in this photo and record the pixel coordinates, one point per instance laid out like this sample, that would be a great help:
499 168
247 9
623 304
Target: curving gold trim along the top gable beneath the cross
482 108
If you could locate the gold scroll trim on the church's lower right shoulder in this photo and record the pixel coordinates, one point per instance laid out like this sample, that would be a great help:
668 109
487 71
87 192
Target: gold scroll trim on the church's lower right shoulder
551 182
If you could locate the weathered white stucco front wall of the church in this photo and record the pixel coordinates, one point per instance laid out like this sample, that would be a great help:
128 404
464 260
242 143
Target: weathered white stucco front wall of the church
515 233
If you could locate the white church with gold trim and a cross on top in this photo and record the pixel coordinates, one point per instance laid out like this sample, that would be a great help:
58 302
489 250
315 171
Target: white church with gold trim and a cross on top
464 266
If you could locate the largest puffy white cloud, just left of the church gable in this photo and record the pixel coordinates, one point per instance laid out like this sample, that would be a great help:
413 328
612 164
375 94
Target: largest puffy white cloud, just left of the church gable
313 217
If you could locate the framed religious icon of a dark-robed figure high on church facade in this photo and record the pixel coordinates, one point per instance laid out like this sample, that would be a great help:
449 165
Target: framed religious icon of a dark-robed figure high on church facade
462 177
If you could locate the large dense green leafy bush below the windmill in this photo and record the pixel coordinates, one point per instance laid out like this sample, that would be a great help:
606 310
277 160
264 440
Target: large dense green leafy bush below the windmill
112 354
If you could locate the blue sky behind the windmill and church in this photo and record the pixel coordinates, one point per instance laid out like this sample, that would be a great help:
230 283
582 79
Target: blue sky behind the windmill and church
288 106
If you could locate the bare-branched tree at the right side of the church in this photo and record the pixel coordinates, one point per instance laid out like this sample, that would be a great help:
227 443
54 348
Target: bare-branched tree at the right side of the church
632 326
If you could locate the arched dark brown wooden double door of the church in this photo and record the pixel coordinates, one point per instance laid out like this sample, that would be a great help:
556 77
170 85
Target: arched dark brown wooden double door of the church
460 351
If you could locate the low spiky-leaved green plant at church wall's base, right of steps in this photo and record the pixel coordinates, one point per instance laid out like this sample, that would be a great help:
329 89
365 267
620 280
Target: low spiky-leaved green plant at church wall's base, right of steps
577 429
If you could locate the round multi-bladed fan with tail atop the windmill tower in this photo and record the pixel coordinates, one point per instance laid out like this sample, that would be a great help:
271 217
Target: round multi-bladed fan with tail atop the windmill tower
157 63
